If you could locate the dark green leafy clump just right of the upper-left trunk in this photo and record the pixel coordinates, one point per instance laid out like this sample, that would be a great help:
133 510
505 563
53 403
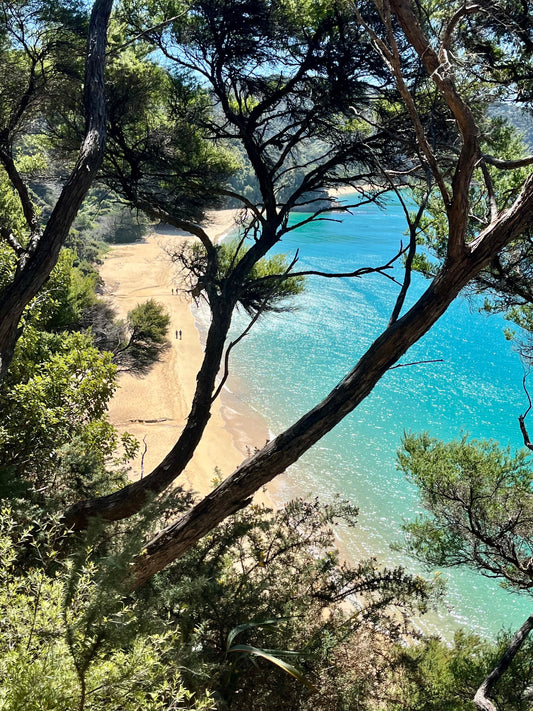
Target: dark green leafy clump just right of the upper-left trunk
159 160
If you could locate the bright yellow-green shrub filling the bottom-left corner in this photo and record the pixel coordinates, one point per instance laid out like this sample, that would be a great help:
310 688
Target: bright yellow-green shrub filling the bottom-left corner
69 642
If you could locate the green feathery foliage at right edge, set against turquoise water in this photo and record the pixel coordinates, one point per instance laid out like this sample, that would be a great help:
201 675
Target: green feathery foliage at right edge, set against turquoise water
479 500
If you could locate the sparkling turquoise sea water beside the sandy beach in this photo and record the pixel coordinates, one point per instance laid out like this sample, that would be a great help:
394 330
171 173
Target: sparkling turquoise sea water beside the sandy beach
290 361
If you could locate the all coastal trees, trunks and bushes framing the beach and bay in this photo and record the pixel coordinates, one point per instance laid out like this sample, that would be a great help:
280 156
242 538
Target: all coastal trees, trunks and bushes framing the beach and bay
136 594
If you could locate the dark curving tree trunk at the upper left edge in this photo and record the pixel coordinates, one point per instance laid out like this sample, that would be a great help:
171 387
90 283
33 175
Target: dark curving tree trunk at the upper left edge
41 256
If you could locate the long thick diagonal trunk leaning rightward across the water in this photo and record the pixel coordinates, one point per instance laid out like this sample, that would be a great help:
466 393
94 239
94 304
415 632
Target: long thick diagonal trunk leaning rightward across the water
235 492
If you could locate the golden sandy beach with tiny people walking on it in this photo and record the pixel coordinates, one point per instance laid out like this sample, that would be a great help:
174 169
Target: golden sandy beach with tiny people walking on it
154 408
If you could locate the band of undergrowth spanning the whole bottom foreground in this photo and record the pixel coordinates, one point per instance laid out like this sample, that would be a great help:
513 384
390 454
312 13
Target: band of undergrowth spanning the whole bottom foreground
263 595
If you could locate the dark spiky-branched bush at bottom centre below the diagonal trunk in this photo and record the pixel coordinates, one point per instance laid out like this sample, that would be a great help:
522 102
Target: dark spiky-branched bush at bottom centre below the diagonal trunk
258 567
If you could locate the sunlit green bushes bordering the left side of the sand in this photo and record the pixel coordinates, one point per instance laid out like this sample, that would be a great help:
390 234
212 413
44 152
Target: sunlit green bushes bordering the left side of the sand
55 435
